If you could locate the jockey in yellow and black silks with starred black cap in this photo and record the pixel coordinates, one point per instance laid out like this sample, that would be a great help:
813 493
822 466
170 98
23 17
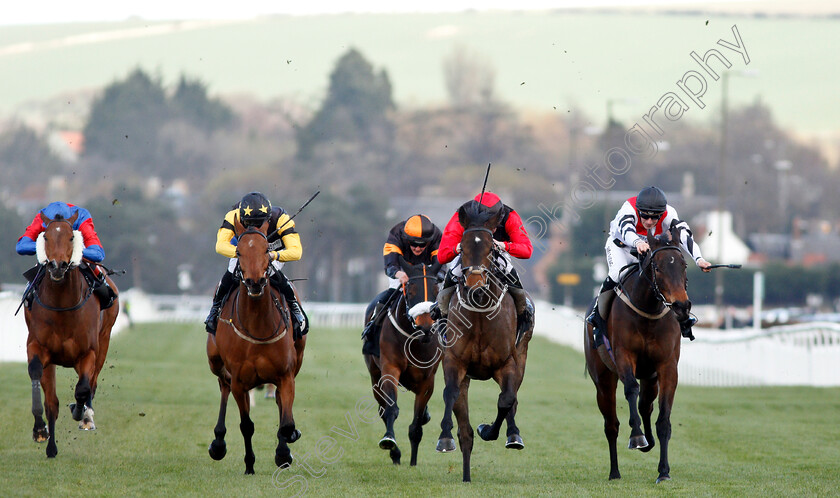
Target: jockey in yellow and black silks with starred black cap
283 243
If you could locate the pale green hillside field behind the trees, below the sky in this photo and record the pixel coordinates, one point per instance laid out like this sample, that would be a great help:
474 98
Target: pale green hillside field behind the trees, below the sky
547 62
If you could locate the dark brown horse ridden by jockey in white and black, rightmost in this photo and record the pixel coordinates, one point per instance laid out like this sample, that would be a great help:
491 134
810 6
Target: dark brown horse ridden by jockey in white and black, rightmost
644 334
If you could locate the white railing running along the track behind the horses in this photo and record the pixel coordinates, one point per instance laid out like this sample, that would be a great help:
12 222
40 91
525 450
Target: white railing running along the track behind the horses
804 354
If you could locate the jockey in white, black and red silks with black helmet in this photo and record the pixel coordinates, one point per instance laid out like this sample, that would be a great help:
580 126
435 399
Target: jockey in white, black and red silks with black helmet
647 211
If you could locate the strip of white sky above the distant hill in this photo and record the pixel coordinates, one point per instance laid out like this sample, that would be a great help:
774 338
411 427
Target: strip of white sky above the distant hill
60 11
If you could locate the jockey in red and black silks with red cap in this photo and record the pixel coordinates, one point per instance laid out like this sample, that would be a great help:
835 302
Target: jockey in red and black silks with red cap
510 238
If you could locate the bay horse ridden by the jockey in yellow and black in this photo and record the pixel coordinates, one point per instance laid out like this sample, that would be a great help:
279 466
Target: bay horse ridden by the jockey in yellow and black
254 345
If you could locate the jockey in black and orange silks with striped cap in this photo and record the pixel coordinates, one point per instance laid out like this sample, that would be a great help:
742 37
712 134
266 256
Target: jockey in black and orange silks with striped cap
416 240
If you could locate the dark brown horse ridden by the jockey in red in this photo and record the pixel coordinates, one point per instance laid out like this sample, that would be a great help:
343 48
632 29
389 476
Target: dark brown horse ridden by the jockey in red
481 340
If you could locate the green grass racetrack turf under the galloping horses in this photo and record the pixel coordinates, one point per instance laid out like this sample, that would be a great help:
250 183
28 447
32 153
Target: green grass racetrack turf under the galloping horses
157 405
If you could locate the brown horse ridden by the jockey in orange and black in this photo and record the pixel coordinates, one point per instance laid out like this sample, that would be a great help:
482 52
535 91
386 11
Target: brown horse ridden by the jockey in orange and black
408 356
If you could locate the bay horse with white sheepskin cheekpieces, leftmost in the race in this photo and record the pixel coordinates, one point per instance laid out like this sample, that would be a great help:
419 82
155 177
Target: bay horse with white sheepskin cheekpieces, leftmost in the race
66 328
